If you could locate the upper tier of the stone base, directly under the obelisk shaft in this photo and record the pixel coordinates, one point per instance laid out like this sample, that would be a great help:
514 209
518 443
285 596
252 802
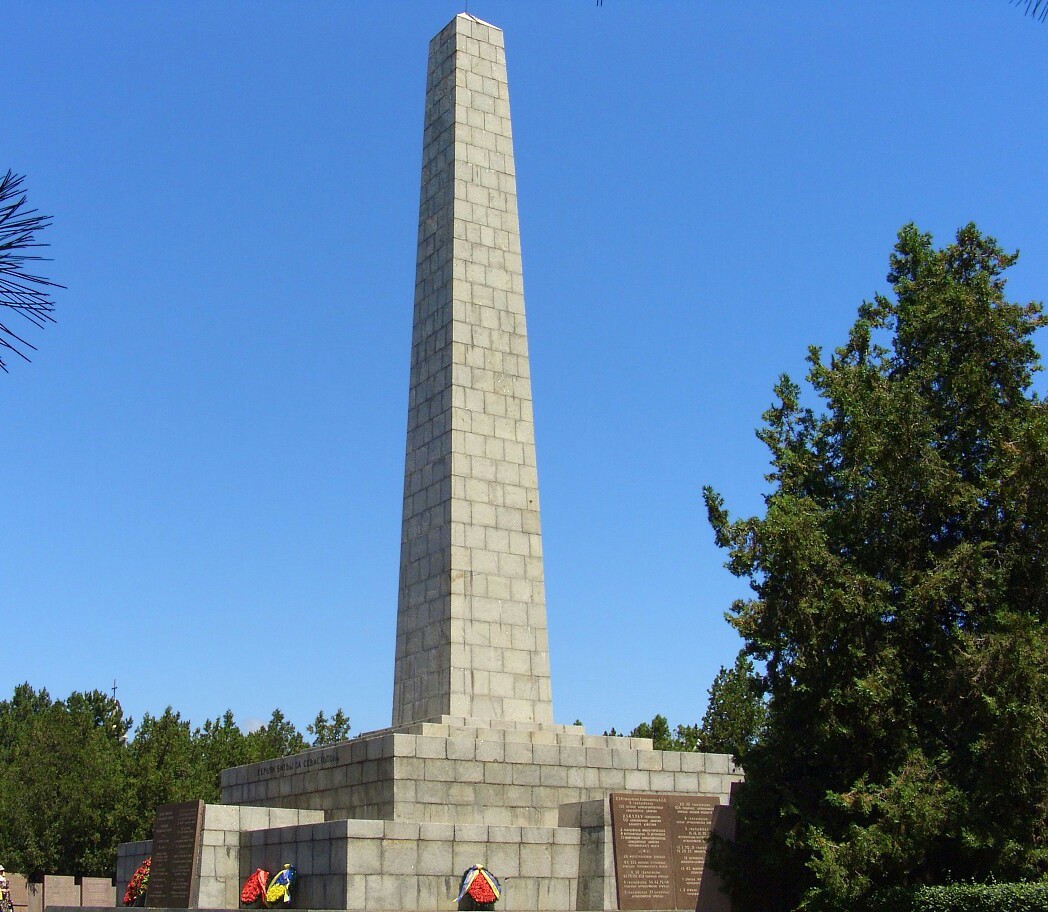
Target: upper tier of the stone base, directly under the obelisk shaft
503 774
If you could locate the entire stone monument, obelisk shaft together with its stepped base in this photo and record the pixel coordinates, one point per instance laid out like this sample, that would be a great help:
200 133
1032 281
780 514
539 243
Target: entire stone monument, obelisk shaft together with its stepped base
474 770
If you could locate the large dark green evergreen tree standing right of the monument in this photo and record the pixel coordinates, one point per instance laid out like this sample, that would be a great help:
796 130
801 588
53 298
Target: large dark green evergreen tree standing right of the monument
900 600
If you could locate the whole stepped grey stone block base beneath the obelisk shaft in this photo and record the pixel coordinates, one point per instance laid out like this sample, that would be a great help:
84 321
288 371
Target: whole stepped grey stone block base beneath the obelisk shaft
389 820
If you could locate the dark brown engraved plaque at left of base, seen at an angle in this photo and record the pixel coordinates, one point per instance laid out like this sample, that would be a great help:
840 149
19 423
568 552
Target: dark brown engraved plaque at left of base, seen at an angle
177 854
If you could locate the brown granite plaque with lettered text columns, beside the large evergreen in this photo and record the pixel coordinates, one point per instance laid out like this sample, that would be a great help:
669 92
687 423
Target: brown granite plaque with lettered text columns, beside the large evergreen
661 849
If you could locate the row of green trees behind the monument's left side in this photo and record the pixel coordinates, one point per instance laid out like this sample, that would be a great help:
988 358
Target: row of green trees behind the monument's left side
74 785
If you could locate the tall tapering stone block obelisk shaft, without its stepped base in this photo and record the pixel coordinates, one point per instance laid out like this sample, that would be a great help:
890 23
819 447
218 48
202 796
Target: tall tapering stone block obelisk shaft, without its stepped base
471 638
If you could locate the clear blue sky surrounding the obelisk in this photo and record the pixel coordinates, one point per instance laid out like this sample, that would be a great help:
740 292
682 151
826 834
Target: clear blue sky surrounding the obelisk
203 468
